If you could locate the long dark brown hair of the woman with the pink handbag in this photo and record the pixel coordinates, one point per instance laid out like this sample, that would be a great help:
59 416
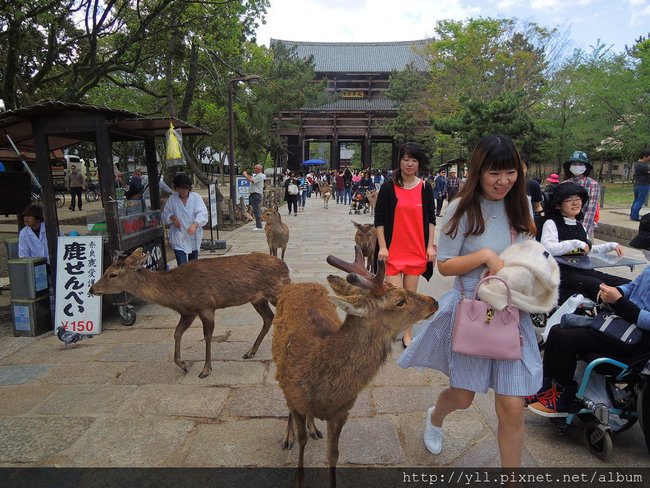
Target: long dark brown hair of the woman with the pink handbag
496 152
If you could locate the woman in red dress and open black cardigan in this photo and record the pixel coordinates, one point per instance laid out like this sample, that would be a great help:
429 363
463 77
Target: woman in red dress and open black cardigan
405 221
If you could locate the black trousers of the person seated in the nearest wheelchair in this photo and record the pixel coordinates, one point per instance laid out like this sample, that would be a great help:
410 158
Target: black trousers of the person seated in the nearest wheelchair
565 345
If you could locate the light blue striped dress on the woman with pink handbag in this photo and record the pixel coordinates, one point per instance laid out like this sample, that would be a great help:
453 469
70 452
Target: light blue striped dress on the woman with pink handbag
432 347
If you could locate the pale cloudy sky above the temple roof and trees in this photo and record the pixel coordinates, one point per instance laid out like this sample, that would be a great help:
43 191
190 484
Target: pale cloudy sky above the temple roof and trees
615 23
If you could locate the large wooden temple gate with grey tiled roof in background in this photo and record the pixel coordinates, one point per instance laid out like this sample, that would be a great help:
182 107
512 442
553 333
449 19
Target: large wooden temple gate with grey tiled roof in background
357 73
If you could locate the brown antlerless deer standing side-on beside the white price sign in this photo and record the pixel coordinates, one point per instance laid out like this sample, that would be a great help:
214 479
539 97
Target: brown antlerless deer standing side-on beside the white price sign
199 288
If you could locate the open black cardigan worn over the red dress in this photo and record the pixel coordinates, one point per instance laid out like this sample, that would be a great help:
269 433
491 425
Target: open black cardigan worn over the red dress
385 215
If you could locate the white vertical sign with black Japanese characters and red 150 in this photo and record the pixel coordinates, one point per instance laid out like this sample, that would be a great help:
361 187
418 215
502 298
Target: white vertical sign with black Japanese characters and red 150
79 265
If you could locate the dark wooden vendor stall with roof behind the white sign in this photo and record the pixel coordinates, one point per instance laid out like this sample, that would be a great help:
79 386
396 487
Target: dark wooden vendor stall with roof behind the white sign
128 224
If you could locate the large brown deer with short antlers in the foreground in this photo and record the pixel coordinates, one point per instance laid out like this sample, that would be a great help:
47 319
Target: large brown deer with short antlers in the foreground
322 363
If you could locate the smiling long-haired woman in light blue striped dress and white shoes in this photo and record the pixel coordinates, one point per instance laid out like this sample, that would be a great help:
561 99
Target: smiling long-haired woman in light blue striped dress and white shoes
475 230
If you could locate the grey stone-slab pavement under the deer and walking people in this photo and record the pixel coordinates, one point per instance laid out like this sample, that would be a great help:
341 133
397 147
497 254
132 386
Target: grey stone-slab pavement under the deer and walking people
118 400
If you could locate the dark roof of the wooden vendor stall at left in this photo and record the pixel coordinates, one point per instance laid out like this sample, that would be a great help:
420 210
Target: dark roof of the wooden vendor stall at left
18 124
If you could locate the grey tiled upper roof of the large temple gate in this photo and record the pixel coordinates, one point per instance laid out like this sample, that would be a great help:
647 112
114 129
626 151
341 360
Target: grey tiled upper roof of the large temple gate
360 57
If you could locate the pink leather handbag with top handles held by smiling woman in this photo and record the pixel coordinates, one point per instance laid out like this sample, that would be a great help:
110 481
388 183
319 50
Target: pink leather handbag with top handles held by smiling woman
481 331
